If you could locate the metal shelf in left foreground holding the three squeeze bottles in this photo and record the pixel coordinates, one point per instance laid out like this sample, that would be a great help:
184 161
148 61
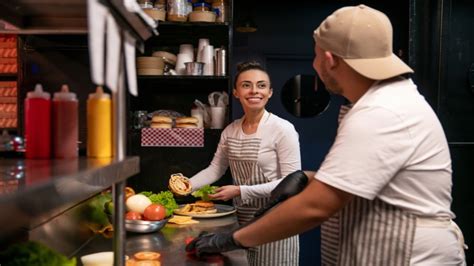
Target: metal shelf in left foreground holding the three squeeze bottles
35 190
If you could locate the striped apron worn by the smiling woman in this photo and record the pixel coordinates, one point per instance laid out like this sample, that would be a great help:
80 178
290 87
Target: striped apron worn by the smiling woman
243 154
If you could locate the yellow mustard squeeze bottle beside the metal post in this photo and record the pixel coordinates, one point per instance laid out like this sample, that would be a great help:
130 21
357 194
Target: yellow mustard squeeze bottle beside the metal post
99 124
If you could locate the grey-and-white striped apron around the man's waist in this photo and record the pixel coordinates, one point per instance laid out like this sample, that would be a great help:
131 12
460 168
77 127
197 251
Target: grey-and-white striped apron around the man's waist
368 232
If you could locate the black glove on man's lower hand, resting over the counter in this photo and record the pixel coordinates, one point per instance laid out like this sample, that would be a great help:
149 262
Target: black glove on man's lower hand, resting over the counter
213 243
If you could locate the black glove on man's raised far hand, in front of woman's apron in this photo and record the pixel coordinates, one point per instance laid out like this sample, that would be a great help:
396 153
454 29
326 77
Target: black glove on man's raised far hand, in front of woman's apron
291 185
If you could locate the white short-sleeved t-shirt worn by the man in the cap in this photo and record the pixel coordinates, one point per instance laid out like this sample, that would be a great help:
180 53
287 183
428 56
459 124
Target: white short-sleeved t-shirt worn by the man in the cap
391 145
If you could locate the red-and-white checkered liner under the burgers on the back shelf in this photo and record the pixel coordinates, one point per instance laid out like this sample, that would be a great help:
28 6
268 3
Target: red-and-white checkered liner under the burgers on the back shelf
172 137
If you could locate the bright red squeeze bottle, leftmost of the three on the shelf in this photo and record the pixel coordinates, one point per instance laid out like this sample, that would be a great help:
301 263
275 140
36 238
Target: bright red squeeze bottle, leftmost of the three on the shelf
38 124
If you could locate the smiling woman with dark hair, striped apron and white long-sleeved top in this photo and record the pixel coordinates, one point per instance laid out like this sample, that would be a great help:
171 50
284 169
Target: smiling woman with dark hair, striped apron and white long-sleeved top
260 148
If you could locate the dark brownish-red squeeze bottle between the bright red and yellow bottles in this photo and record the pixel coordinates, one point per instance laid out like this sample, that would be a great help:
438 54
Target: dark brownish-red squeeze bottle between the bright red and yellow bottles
65 124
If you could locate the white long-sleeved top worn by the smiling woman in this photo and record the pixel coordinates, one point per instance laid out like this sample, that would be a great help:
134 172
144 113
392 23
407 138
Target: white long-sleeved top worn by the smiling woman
278 155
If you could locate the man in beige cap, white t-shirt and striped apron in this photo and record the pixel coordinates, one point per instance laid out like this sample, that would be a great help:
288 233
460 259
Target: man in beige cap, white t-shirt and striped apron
383 192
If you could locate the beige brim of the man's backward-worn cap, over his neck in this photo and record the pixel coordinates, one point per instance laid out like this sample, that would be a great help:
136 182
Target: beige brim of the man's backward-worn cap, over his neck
379 68
